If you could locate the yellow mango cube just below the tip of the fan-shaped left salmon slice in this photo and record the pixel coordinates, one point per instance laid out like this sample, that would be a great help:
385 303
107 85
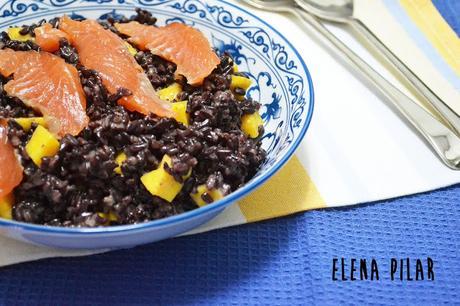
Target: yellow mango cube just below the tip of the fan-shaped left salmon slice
41 144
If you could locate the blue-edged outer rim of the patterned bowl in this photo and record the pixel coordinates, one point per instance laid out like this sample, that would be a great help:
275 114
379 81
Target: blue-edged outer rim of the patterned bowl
221 204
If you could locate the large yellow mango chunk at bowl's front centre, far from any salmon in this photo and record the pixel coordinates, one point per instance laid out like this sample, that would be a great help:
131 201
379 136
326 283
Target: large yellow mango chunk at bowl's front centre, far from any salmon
160 183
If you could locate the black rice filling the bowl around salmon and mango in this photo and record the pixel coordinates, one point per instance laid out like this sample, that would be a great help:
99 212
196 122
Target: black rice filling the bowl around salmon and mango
79 185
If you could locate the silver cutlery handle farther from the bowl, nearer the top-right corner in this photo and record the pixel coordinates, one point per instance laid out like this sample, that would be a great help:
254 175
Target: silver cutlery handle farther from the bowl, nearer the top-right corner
444 110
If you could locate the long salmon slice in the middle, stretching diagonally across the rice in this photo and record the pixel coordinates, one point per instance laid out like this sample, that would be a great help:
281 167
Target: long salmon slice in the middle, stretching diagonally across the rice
103 51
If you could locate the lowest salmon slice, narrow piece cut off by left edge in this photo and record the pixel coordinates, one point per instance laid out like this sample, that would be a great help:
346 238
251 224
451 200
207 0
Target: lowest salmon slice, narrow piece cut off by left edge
10 167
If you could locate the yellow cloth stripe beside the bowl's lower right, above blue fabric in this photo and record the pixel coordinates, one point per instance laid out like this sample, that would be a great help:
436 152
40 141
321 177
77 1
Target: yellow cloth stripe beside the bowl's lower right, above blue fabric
291 190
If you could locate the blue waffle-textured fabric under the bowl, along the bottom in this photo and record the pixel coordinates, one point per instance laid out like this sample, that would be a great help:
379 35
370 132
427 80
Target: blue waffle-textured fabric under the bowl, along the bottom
284 261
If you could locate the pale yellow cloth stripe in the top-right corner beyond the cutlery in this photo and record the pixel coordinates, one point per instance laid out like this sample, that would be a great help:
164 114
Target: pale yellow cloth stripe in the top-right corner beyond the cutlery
432 24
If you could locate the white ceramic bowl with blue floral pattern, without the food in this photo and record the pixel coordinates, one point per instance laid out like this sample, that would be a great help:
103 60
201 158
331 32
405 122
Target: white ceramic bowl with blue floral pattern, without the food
281 82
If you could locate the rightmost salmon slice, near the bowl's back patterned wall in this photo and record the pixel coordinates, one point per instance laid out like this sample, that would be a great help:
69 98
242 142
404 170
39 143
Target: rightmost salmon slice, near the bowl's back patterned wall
183 45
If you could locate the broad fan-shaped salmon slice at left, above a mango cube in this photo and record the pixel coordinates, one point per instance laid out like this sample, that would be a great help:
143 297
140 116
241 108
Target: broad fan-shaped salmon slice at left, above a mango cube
48 84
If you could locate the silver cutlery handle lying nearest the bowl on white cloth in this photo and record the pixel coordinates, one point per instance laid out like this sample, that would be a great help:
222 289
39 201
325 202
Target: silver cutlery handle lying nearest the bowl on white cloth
444 142
